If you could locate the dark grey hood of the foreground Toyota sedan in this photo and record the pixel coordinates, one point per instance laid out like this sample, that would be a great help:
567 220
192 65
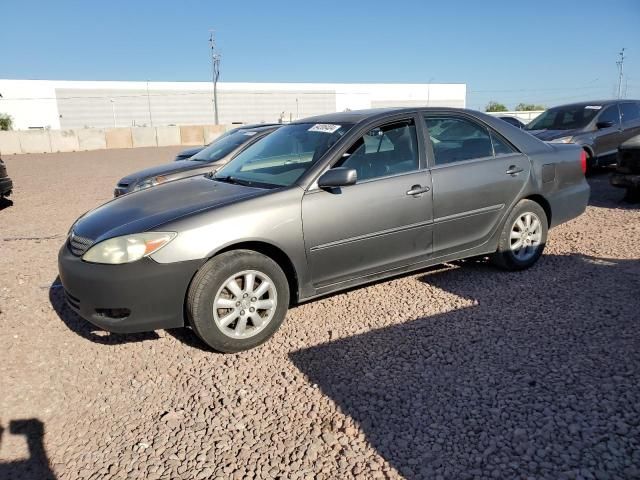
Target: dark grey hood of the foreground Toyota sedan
152 207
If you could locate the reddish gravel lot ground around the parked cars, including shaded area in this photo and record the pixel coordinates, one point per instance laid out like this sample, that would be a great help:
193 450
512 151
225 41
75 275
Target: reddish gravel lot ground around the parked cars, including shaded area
460 371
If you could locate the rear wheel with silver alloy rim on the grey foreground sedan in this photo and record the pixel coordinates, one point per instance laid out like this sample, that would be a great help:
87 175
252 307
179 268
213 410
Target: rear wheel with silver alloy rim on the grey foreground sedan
510 258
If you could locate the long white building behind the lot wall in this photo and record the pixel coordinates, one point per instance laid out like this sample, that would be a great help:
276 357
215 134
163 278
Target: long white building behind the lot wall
76 104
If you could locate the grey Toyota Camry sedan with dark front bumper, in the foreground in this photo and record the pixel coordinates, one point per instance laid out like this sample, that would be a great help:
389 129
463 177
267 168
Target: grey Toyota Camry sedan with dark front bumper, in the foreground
318 206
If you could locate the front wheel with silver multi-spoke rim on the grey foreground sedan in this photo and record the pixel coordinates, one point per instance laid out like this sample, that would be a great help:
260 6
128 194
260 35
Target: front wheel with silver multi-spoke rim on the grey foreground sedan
243 320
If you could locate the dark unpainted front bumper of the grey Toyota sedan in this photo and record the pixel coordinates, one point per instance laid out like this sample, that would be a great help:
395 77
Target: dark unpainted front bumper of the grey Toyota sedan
152 294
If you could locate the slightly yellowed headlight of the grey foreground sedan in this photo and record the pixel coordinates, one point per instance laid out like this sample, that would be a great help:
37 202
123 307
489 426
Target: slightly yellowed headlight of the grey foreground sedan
128 248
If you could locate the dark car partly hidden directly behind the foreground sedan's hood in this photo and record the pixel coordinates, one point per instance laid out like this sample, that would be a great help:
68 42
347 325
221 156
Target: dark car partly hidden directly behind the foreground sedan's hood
207 160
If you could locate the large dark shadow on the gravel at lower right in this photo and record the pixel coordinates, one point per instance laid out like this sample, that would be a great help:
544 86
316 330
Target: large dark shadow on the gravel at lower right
534 379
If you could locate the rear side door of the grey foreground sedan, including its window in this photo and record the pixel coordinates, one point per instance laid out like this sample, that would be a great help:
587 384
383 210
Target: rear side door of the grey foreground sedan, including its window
477 175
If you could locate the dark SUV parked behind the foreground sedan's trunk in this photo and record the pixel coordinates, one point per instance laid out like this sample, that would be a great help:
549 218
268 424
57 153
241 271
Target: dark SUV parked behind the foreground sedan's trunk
598 126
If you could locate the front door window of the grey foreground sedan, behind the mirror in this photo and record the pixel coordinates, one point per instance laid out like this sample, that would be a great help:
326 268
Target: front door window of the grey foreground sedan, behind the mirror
386 150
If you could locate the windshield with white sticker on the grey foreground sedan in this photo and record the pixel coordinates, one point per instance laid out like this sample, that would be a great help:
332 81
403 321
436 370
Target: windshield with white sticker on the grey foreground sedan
281 158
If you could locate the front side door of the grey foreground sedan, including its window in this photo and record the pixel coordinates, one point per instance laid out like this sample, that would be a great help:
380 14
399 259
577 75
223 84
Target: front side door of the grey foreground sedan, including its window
380 223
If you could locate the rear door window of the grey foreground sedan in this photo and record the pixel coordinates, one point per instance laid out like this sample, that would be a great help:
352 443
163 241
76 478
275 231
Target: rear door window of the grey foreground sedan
455 139
